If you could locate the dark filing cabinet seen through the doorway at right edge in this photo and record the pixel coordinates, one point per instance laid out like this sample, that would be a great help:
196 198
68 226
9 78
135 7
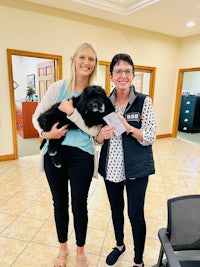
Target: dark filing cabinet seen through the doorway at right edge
189 120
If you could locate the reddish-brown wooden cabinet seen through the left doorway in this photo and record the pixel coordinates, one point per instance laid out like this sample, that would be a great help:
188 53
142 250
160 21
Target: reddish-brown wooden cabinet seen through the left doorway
24 120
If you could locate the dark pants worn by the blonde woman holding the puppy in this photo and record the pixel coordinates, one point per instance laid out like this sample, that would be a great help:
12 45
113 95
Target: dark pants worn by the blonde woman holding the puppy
77 168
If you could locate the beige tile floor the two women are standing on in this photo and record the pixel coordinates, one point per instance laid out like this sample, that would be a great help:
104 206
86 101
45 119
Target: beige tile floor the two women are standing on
27 232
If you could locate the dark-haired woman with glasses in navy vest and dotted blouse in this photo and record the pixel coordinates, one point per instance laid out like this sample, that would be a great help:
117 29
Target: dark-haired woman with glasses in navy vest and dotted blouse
126 161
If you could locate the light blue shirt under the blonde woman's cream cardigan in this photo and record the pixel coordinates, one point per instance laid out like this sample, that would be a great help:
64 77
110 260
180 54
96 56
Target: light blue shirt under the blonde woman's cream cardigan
75 137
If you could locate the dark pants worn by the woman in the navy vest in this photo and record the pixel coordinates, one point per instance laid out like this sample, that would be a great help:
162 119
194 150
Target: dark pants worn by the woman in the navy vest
136 190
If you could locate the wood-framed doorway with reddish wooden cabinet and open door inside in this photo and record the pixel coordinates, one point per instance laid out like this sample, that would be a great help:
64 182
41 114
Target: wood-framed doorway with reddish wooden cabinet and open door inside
23 69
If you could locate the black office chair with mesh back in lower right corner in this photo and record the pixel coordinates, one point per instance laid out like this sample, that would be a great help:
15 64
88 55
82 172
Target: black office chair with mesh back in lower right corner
180 241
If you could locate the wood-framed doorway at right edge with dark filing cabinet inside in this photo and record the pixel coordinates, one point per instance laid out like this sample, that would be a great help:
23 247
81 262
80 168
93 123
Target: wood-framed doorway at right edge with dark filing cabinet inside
187 109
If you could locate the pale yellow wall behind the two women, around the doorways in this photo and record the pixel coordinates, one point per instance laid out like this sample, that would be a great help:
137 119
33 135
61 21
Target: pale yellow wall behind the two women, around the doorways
37 32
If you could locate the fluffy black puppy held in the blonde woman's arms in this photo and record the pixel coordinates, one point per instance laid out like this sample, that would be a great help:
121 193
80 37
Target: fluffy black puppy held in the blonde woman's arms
93 104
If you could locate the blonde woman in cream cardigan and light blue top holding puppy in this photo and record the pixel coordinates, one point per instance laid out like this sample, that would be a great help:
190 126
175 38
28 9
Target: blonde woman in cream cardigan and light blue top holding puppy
77 153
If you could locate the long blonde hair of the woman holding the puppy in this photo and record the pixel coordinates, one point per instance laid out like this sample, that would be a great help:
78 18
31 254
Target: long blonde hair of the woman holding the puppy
71 78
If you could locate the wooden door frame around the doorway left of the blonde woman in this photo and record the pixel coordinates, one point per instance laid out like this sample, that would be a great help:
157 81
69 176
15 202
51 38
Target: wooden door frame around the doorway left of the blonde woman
10 53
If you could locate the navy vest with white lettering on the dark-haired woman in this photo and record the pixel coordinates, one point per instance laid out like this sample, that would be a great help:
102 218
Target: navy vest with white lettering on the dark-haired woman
138 159
